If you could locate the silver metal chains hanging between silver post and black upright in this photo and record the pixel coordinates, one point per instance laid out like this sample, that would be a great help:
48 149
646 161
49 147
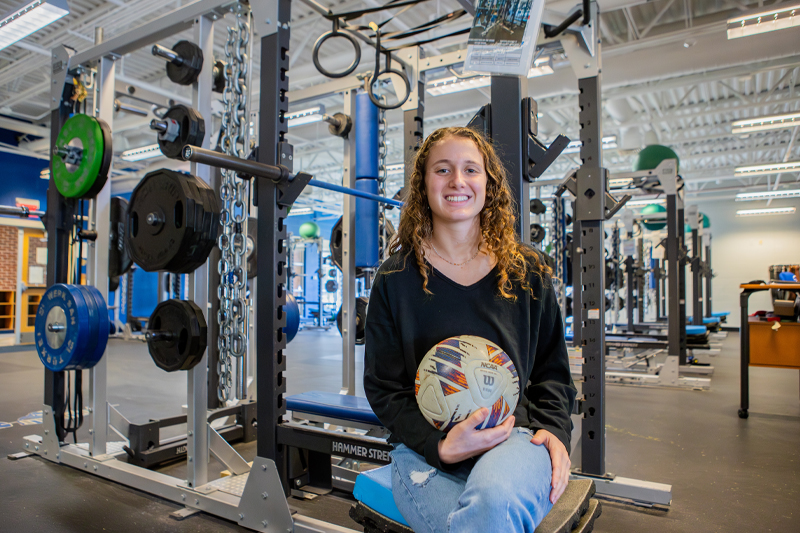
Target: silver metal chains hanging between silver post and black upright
233 315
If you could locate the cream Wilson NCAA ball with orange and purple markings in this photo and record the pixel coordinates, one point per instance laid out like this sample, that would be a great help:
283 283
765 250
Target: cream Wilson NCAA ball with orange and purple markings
462 374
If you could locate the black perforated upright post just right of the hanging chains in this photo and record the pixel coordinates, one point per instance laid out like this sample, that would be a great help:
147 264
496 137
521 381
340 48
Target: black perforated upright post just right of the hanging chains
272 236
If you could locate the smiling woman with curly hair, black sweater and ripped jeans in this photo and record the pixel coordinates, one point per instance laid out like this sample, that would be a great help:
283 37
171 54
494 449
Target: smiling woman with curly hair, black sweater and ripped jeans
457 269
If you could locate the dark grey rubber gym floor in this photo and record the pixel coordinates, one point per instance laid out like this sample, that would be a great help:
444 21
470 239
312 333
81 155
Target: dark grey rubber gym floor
727 474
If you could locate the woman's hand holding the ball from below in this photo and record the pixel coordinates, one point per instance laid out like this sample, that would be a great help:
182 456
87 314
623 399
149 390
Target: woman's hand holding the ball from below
464 441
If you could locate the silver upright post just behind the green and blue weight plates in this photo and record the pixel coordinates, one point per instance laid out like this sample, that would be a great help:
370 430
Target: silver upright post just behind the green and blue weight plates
98 256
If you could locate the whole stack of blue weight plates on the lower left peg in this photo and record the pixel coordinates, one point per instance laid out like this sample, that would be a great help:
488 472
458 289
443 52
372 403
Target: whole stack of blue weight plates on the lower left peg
69 329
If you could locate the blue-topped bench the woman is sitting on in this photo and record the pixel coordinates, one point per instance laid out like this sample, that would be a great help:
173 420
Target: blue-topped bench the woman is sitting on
574 512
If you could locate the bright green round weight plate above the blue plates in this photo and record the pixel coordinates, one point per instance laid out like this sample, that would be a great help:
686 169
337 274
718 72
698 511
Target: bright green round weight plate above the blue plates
86 133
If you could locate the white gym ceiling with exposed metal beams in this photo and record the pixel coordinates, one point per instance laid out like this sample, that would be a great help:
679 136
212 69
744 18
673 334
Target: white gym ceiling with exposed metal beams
669 76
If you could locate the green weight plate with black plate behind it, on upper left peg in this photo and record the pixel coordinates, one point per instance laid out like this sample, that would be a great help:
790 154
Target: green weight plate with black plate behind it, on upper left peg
81 157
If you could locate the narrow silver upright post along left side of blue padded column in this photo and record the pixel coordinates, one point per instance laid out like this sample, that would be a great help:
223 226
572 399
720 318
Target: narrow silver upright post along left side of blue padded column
348 254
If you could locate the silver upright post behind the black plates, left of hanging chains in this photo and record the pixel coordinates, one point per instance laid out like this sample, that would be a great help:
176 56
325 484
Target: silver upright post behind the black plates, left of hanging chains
197 440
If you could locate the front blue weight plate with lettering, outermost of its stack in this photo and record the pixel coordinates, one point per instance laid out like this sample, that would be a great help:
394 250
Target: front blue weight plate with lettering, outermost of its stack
64 349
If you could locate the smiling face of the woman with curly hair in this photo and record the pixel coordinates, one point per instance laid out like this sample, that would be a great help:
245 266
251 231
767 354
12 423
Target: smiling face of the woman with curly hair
455 180
